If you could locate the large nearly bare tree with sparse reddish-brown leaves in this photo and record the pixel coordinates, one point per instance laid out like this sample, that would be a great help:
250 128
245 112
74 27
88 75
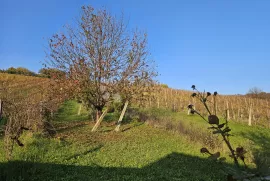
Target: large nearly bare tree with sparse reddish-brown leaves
101 56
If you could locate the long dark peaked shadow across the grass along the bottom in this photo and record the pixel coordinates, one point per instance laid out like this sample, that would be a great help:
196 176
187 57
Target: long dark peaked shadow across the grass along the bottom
174 166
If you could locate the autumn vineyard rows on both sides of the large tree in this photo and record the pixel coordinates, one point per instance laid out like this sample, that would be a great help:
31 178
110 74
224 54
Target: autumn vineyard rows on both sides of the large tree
31 101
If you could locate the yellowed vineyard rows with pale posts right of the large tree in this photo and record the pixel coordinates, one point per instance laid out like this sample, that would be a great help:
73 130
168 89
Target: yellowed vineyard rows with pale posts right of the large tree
239 108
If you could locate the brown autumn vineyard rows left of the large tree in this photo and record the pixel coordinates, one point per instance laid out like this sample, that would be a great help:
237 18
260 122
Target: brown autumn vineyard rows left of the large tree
27 104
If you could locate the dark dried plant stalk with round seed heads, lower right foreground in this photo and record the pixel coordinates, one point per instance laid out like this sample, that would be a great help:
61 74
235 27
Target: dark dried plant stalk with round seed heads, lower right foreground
224 130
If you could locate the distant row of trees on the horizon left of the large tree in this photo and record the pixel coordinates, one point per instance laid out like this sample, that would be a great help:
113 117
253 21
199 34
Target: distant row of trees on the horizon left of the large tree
44 72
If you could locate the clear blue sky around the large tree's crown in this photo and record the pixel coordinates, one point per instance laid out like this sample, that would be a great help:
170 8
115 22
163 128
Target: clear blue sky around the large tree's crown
221 45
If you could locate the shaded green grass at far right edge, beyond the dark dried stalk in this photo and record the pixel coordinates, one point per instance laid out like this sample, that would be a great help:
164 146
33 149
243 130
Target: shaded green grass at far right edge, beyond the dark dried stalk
261 152
